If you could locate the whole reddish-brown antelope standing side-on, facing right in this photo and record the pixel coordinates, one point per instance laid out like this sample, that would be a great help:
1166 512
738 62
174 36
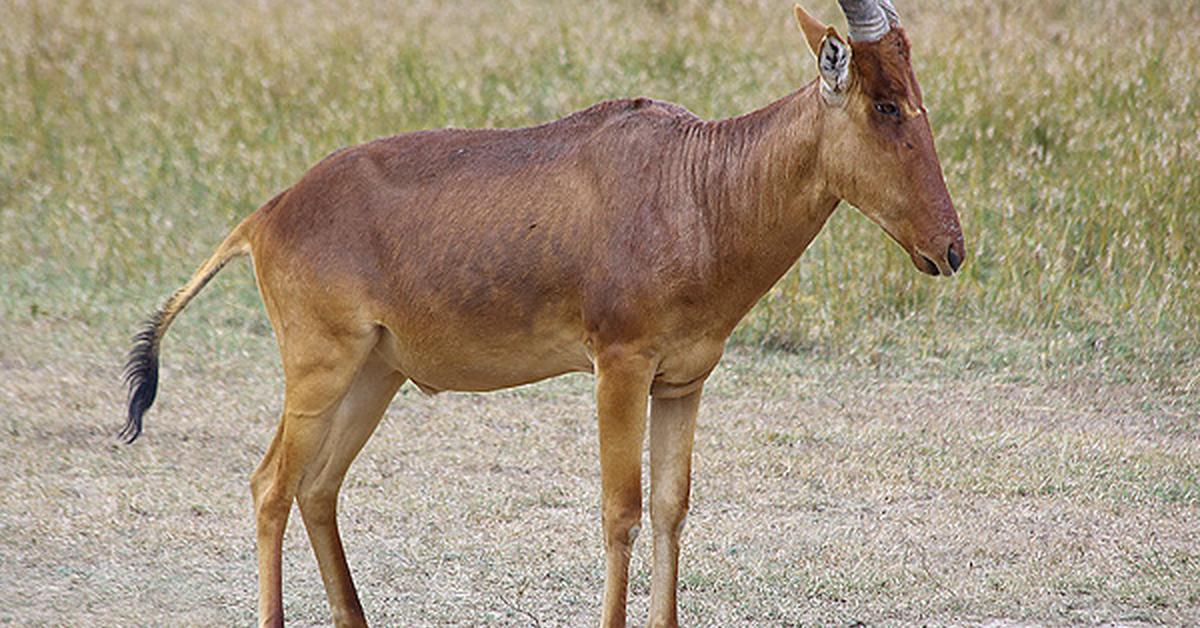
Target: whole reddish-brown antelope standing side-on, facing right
627 240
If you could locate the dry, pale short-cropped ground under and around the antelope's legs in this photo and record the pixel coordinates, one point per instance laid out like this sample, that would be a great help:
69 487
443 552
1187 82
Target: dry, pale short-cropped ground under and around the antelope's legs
823 495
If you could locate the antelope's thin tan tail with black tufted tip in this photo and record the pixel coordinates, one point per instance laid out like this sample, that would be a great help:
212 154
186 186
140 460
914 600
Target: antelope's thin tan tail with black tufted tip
142 369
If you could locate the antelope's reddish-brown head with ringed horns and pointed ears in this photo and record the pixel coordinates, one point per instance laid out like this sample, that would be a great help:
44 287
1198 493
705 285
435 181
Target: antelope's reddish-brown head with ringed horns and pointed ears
878 149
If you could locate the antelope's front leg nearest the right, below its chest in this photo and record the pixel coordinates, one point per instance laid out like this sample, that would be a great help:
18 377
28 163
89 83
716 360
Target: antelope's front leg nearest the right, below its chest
673 427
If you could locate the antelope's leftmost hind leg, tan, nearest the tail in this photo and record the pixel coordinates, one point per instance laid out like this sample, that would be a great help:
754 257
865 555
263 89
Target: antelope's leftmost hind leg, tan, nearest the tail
320 369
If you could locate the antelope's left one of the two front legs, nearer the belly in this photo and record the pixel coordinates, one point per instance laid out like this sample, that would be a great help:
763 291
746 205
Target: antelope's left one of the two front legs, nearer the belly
623 386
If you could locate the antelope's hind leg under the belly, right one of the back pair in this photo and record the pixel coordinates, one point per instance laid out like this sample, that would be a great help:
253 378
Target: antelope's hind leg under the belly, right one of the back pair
356 421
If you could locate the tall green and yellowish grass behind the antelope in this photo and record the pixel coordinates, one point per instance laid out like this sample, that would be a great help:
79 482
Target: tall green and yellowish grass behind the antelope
135 135
